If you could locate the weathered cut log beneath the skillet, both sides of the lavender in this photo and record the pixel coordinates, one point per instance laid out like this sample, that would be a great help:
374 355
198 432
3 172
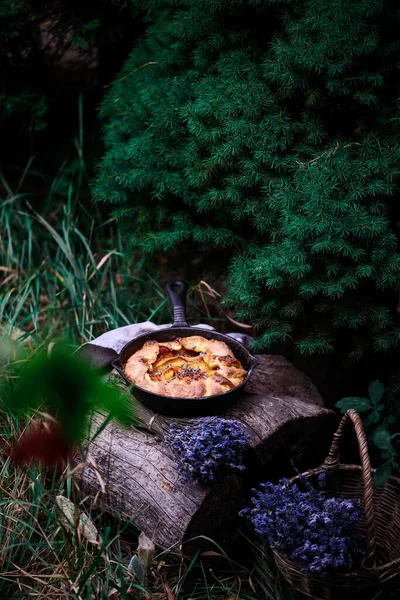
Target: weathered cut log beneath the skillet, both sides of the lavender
141 480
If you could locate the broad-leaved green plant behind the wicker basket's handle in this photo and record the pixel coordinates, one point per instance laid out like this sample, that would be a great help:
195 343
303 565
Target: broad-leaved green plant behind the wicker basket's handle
381 422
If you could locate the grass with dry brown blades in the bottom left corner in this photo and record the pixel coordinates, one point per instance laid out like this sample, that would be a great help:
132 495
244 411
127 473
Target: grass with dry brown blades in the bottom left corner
40 557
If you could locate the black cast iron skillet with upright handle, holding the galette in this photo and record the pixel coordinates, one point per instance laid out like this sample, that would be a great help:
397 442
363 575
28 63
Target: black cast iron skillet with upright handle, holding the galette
180 328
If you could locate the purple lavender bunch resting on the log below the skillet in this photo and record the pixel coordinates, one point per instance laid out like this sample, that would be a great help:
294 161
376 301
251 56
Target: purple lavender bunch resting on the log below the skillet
205 449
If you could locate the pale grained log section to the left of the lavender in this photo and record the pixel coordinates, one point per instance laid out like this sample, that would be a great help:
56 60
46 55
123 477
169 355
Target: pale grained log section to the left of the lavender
142 485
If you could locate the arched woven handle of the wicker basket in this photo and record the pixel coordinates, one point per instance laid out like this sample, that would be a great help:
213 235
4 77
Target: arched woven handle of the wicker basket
332 462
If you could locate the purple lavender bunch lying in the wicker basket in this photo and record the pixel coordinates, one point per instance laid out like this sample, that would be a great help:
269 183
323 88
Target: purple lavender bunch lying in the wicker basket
301 522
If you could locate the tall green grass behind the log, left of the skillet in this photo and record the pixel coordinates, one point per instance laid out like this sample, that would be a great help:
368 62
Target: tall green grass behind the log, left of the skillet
59 279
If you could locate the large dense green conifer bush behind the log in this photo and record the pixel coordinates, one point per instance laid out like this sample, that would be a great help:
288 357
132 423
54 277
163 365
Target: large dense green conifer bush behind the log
271 128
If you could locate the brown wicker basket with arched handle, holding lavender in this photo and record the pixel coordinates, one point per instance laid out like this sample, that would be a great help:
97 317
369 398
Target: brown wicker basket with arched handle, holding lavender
379 523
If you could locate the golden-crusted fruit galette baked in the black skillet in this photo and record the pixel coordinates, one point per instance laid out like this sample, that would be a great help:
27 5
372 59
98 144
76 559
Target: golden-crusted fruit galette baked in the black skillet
191 367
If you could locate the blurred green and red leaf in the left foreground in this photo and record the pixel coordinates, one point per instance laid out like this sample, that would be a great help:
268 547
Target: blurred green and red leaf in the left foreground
66 388
